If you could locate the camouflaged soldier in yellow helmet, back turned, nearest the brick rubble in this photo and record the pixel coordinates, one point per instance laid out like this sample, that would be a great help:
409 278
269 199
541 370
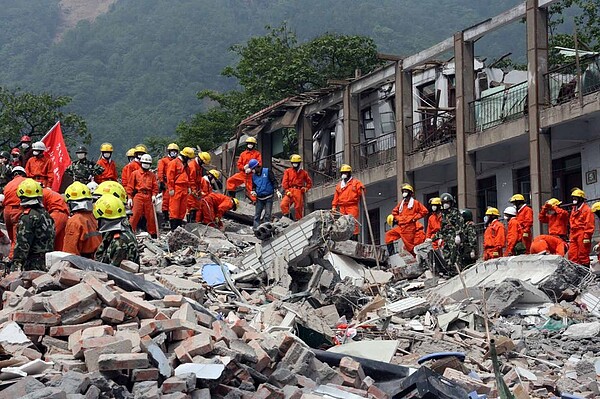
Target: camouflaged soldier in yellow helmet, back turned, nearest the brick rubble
118 242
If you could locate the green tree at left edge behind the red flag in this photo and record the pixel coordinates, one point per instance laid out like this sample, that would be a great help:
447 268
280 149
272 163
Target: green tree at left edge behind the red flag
24 113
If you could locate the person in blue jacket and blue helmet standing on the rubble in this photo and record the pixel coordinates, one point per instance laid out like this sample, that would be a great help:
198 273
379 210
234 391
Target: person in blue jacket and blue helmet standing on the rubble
264 187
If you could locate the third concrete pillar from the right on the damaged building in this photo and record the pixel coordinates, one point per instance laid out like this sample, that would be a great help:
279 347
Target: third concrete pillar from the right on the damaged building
404 117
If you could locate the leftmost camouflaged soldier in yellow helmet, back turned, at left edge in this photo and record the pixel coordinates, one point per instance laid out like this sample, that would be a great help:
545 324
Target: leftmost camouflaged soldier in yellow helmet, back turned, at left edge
35 231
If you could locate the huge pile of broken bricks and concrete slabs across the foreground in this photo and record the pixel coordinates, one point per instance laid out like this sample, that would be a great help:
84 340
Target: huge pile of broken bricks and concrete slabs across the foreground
300 313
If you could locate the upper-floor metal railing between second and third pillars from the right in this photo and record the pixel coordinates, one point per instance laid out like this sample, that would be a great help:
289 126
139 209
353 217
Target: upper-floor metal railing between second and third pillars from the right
432 131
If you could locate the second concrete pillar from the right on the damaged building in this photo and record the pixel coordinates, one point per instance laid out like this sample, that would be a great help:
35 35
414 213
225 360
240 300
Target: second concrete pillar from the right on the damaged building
465 93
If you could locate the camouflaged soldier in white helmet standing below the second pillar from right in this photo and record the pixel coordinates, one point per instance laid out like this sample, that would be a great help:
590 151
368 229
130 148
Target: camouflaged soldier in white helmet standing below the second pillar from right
450 233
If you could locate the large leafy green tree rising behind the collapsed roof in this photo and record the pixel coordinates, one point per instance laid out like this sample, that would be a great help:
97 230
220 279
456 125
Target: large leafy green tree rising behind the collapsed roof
271 68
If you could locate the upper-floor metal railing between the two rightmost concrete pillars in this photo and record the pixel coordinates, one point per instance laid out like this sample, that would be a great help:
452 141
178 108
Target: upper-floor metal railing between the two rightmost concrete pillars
504 105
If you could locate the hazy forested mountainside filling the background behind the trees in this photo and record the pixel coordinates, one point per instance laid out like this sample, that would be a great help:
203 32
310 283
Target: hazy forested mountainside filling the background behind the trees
134 71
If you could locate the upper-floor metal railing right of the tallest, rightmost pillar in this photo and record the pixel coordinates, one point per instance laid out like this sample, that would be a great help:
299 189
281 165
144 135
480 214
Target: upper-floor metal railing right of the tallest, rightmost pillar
567 82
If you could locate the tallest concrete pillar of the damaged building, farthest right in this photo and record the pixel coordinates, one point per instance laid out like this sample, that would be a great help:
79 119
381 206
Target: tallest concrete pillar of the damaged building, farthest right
540 150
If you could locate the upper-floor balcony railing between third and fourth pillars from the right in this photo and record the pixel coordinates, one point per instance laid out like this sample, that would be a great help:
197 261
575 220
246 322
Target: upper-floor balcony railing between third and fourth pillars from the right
375 152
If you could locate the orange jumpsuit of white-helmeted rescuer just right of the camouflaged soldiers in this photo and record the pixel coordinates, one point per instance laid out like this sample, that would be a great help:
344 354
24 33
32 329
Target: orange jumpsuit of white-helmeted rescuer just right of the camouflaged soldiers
142 187
